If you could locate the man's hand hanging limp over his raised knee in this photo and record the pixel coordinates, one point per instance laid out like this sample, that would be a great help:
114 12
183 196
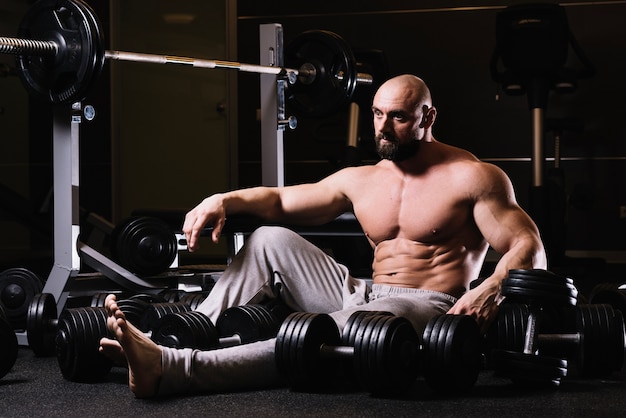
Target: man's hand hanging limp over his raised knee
210 211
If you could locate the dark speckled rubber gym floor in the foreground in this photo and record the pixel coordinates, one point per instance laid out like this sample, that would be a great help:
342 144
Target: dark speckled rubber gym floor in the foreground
35 388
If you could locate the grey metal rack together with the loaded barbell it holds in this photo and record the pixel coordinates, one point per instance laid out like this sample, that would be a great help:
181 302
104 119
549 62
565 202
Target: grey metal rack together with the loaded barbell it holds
60 54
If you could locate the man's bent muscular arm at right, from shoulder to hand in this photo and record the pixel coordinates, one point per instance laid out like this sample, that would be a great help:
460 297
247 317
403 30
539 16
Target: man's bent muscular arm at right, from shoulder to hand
509 231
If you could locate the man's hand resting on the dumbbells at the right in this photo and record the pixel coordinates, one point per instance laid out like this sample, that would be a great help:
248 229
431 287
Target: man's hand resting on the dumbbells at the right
481 303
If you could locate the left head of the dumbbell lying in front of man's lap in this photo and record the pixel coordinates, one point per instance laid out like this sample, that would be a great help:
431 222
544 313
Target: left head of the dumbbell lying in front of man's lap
298 350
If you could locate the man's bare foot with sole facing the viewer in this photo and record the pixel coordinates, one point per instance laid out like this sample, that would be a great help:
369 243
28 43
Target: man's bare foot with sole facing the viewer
142 354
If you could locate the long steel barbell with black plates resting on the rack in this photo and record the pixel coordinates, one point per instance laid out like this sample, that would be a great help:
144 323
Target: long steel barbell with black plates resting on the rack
60 54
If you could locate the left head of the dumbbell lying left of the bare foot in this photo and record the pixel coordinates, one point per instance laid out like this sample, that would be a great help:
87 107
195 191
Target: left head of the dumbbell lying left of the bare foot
41 324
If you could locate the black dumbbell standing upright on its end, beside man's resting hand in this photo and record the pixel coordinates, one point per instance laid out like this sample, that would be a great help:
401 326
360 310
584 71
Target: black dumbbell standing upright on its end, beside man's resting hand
543 292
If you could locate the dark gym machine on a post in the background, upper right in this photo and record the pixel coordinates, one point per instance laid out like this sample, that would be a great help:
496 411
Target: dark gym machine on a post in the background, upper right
532 43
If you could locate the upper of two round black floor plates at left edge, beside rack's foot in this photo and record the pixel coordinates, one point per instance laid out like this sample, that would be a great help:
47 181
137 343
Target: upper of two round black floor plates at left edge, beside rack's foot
18 286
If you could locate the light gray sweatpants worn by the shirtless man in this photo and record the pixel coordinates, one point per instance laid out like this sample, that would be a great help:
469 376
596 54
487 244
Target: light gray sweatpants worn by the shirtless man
276 262
